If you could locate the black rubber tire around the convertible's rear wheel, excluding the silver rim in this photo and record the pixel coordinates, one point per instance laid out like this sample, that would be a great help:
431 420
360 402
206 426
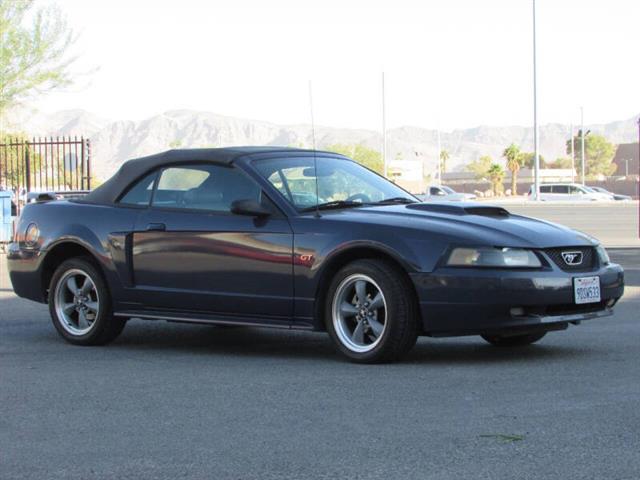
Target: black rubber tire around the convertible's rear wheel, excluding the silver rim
104 327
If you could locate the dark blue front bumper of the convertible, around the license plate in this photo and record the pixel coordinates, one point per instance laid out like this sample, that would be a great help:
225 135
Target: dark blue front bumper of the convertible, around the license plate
466 301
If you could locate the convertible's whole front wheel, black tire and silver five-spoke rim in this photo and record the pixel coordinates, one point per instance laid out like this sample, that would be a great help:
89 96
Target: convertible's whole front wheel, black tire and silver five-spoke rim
370 313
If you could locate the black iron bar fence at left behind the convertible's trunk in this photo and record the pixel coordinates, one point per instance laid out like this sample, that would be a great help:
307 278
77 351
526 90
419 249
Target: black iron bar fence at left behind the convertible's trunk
53 164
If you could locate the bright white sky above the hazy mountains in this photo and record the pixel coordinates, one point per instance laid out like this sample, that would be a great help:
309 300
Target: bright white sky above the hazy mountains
447 63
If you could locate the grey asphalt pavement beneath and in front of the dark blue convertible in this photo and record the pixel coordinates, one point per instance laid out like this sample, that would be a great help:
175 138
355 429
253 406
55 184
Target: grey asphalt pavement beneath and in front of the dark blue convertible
168 401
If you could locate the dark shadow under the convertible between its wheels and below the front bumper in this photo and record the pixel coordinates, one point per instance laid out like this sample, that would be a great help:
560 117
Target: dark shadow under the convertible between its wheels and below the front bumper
267 343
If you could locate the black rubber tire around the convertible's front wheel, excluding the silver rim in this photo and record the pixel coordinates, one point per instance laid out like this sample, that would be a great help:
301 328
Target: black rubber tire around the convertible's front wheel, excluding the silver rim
401 320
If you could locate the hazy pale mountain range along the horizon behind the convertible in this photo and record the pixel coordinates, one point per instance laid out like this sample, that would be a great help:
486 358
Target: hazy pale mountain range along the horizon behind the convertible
114 141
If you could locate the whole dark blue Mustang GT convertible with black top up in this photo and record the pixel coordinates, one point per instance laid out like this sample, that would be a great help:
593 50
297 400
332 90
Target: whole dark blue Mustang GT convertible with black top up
303 240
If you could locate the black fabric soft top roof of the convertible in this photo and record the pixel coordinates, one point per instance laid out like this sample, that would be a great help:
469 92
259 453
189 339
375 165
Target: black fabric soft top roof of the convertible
131 170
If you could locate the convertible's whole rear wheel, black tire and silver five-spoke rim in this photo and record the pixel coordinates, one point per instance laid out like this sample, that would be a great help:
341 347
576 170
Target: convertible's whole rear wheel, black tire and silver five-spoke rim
80 304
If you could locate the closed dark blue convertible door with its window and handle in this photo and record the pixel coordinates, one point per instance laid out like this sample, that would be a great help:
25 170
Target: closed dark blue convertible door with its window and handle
190 253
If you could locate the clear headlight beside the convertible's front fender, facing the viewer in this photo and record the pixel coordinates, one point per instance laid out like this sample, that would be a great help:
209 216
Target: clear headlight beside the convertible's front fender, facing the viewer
493 257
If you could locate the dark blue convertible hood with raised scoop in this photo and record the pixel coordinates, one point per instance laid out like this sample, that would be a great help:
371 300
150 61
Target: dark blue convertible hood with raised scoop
469 223
